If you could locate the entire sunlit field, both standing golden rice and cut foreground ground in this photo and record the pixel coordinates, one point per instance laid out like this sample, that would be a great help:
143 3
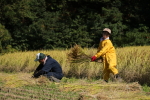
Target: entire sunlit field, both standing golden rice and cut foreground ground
132 63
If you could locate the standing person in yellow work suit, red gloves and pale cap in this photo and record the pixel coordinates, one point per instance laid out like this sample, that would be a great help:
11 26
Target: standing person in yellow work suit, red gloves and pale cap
107 51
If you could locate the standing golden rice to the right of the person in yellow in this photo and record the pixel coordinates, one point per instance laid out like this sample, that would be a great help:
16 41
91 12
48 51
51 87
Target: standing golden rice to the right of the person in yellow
133 63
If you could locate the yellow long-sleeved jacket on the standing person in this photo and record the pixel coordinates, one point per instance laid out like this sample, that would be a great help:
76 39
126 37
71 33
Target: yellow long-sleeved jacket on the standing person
107 51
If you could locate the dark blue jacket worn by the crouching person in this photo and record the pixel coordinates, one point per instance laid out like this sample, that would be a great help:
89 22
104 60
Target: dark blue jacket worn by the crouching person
50 68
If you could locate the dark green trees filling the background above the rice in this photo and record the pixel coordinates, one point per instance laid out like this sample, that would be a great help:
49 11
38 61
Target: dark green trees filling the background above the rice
50 24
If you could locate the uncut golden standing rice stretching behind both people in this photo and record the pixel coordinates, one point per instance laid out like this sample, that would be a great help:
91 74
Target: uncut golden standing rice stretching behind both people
132 63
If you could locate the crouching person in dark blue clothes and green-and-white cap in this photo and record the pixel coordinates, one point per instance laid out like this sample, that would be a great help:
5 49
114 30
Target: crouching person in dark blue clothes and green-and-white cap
48 67
